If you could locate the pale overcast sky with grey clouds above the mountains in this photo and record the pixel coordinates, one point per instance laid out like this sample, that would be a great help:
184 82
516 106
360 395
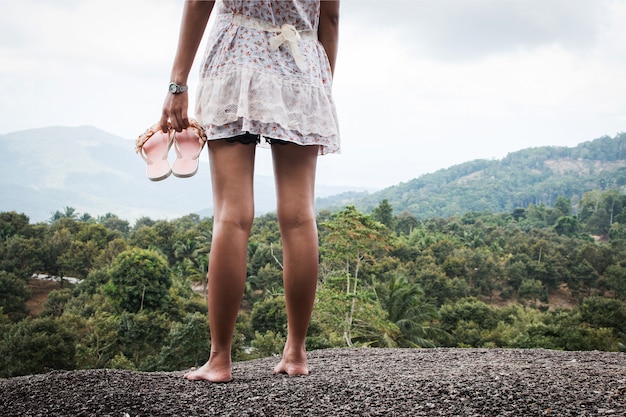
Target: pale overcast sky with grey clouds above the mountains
420 85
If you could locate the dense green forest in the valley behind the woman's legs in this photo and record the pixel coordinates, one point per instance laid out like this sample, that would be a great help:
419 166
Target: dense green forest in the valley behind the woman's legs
534 277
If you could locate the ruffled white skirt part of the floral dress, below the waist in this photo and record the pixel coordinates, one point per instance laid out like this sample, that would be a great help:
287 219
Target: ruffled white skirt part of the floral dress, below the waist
247 87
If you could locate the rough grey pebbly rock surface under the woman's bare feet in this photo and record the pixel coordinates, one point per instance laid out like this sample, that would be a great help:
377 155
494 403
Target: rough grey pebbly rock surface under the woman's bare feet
345 382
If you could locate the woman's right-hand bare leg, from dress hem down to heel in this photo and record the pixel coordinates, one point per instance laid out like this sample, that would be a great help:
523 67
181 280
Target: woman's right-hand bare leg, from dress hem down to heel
294 170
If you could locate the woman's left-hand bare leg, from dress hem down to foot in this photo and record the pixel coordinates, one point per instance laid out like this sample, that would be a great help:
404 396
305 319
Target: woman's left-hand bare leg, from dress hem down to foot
232 172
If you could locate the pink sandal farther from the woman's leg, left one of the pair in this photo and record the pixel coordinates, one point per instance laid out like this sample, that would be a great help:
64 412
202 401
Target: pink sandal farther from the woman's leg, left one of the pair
153 146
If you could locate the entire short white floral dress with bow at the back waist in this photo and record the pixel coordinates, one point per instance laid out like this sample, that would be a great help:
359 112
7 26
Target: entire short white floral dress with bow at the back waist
266 73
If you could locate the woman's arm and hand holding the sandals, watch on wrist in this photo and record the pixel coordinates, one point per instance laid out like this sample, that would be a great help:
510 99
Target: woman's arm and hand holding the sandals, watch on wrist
195 17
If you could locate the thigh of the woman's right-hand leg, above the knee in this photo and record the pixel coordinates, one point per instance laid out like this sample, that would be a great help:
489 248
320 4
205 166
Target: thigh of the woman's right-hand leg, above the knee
294 172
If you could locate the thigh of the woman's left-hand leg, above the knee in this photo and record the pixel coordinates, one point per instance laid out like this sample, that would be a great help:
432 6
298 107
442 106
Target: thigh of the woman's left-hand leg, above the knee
232 178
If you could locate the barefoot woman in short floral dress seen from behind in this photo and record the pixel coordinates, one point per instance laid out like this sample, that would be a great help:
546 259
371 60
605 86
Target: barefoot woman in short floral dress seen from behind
265 79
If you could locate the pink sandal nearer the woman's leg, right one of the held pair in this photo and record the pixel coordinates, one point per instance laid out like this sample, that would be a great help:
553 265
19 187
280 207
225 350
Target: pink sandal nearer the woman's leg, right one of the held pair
188 145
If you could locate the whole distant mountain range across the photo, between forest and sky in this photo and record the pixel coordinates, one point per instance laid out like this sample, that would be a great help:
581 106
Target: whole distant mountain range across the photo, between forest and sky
44 170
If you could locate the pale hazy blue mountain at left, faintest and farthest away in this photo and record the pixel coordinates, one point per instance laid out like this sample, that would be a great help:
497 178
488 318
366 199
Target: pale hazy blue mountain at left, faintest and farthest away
44 170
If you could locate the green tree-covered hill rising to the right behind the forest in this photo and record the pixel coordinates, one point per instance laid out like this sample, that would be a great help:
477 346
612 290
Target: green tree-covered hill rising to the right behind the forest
530 176
